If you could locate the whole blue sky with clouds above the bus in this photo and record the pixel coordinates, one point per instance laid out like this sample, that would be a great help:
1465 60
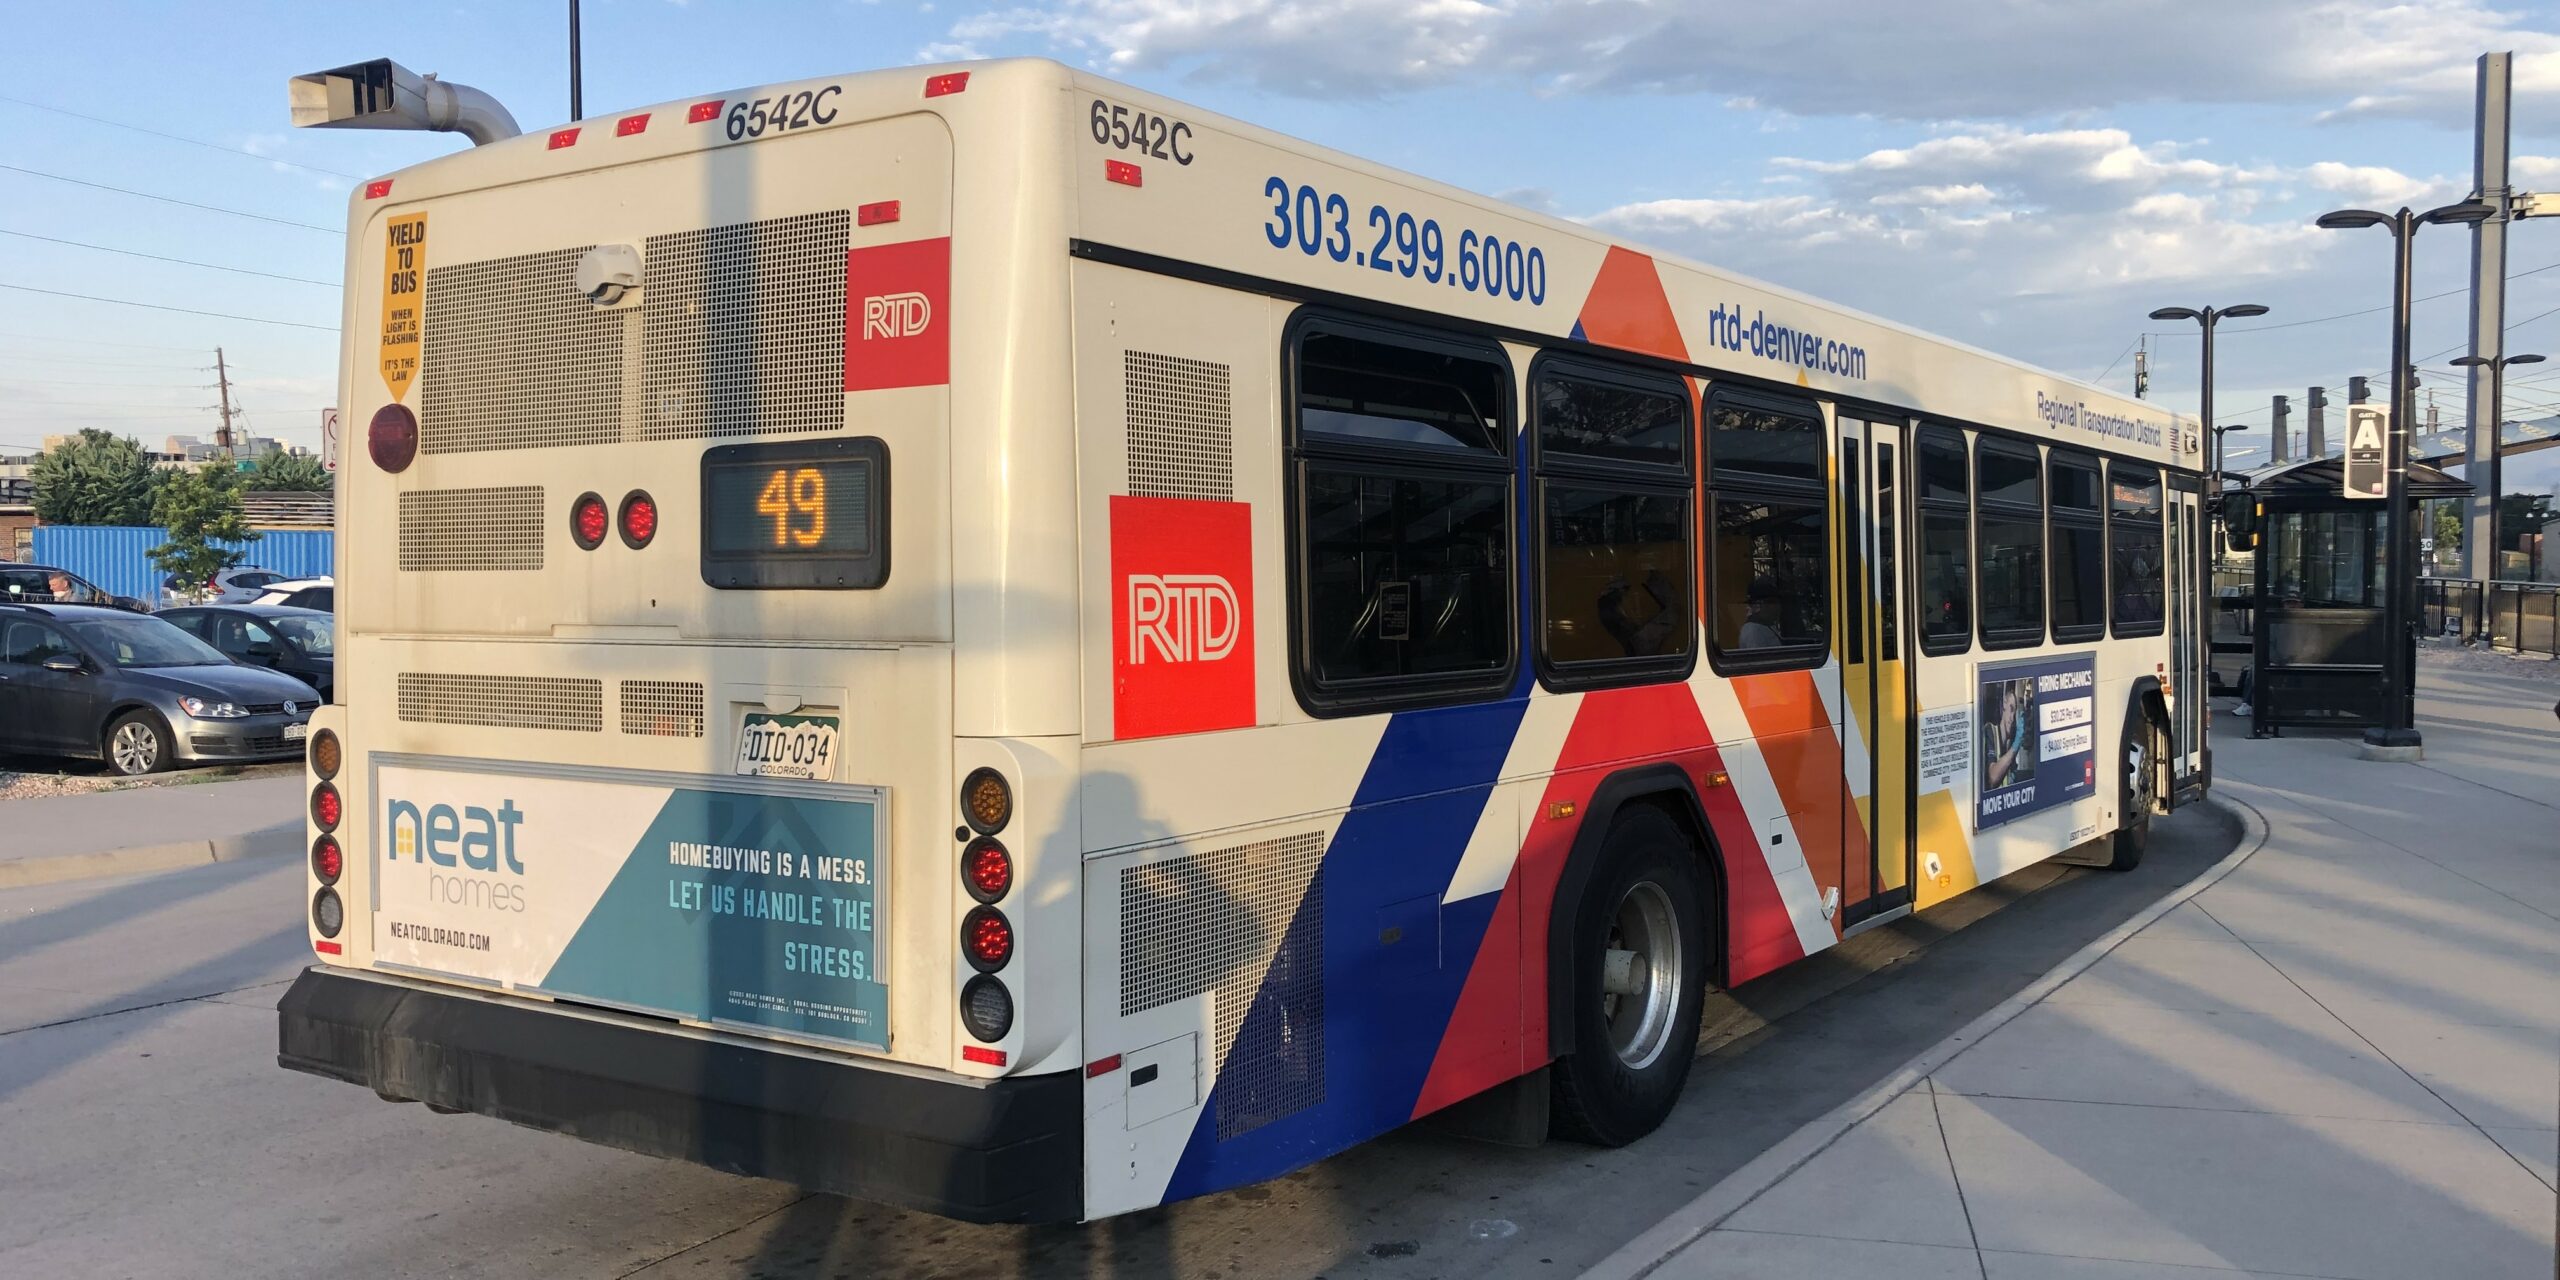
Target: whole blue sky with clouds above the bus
2031 178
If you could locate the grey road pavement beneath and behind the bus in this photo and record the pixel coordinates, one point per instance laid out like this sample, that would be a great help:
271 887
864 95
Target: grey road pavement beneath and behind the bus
150 1130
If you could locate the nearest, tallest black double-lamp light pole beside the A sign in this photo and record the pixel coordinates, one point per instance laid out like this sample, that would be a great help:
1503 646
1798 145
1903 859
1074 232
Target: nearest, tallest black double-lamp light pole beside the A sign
2397 733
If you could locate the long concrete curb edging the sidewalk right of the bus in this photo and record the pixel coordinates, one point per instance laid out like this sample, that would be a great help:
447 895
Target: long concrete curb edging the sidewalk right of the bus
1647 1253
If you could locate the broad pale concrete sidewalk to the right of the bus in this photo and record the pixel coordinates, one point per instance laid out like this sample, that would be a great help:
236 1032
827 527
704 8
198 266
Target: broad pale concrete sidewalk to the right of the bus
2336 1059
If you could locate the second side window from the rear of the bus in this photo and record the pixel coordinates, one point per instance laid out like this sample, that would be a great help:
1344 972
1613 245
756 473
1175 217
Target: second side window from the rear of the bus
1614 526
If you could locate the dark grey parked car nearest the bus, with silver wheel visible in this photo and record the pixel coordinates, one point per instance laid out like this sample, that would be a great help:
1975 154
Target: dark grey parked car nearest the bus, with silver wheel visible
137 692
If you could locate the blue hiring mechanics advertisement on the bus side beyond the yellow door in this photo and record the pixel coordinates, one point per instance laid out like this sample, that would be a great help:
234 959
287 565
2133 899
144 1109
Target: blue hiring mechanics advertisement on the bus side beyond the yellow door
2036 736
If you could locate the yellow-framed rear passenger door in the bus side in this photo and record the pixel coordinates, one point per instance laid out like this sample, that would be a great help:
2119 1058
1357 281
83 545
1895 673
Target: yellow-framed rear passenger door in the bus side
1875 723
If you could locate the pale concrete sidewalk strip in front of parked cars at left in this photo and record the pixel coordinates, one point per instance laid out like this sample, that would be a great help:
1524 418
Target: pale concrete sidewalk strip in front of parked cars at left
147 828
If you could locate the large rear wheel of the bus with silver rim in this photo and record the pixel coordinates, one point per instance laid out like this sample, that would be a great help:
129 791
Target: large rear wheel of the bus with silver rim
1640 977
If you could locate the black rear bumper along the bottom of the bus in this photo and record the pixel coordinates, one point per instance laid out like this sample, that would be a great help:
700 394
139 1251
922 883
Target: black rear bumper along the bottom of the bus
1010 1151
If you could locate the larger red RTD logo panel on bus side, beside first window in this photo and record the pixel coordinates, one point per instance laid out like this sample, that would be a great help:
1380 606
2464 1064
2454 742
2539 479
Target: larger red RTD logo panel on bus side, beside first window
1181 616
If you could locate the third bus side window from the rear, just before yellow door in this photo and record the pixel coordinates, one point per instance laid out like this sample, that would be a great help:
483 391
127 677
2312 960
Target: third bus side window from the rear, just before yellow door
1770 534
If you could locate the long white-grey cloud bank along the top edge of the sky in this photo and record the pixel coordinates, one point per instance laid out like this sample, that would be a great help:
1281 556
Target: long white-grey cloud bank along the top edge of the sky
1919 60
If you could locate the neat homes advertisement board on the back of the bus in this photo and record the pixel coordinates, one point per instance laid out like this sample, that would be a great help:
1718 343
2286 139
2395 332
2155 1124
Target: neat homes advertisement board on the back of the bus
756 905
